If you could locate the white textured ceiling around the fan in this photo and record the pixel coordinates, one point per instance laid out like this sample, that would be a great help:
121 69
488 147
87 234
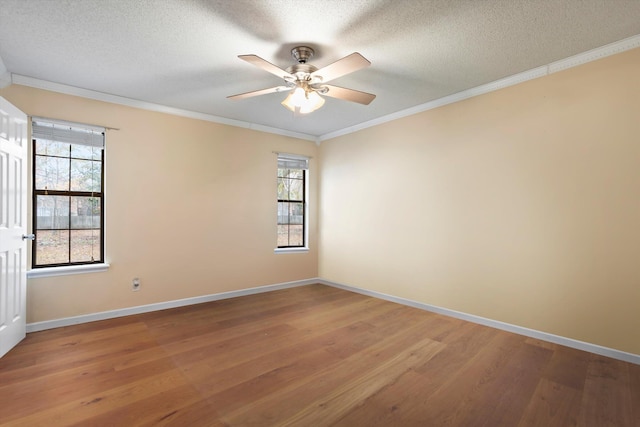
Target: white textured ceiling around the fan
183 53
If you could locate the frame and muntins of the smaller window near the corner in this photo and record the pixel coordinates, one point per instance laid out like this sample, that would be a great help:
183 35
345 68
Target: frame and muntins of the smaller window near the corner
304 162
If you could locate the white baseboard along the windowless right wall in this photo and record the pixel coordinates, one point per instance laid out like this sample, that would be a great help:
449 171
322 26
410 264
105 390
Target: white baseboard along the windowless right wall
556 339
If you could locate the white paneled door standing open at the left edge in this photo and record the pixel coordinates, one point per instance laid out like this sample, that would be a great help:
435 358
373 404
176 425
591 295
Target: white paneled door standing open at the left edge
13 225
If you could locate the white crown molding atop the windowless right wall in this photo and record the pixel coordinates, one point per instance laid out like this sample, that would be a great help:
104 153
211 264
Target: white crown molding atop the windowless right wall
545 70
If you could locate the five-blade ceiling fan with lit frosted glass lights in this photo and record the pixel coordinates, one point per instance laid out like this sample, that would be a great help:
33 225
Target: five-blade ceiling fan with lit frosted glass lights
305 83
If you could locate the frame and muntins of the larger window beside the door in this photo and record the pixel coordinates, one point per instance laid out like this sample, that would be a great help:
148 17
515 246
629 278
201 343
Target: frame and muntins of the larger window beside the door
70 267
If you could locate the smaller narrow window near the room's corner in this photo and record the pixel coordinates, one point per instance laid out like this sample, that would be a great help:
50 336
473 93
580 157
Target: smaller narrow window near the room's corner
292 204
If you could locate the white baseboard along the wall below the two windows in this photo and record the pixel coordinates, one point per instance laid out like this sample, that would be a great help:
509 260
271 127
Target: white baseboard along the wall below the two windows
103 315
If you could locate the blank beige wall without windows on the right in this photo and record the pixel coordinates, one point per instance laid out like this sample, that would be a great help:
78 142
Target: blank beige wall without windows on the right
522 205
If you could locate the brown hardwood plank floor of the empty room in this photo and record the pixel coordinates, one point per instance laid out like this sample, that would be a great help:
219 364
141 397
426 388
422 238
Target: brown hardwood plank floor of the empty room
307 356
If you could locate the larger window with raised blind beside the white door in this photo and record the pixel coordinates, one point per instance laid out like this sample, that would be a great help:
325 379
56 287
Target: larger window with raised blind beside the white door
68 194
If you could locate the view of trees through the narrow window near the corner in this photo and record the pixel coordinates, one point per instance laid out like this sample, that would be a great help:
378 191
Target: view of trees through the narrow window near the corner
291 207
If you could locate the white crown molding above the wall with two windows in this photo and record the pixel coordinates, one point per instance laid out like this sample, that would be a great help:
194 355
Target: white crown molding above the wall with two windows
149 106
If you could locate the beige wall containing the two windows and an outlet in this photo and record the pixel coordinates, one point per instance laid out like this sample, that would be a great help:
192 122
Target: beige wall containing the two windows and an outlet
190 209
